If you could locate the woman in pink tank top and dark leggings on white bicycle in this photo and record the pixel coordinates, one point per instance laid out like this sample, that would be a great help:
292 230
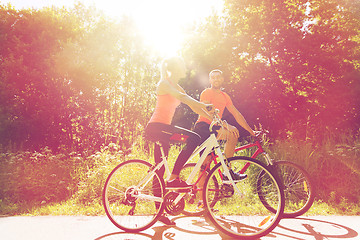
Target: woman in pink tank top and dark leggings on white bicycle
169 95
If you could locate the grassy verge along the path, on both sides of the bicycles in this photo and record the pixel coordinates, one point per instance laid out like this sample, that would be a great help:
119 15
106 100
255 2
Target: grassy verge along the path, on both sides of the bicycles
328 162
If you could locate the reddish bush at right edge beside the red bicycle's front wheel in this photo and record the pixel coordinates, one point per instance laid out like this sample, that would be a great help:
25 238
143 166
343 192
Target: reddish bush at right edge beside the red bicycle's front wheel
334 165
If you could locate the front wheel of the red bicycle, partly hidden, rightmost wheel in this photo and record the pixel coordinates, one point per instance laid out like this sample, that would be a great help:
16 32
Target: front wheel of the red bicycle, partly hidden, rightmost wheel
298 189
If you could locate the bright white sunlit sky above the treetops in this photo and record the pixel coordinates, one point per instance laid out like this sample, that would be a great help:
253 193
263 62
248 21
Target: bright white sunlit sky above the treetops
161 21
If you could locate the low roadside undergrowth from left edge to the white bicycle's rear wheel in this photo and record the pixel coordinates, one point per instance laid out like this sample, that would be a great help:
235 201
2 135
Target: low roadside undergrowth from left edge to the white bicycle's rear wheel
45 177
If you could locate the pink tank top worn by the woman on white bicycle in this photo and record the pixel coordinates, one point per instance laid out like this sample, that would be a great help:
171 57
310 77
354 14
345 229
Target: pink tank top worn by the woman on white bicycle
164 109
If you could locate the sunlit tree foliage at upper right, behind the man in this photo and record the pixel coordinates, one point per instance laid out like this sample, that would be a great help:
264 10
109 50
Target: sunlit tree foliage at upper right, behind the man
289 64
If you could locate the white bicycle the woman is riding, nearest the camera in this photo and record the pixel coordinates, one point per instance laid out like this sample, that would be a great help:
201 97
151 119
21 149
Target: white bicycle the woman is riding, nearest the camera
134 195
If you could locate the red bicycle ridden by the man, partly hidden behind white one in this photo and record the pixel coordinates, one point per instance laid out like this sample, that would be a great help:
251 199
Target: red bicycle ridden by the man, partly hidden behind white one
298 187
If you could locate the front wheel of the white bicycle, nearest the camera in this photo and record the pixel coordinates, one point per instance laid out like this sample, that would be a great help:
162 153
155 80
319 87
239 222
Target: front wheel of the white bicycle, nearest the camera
238 211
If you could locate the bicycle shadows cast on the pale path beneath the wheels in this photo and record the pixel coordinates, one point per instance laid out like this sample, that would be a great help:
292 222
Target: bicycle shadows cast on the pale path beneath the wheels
191 228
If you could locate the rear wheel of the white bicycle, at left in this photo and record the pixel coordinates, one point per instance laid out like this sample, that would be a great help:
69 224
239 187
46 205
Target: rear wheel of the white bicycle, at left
133 196
